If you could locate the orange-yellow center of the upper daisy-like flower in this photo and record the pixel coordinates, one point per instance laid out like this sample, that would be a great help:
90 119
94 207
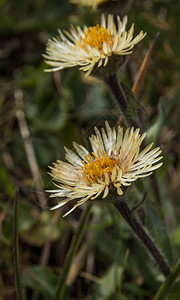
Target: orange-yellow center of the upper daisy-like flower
95 37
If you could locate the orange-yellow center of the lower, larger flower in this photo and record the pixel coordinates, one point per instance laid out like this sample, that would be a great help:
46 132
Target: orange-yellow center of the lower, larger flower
93 170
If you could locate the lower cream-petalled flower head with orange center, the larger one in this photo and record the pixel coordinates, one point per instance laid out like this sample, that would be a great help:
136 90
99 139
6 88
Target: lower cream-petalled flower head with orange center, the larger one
114 163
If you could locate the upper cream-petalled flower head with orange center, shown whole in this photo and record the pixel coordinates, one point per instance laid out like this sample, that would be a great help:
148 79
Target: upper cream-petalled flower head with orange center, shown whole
91 47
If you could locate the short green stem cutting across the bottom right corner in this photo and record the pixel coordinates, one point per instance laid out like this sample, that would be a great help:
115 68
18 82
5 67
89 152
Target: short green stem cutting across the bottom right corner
167 284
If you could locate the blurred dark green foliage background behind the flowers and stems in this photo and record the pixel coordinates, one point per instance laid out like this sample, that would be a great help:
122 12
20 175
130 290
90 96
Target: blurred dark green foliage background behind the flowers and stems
40 113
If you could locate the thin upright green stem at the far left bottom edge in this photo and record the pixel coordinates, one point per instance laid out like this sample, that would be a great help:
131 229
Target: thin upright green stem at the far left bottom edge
16 251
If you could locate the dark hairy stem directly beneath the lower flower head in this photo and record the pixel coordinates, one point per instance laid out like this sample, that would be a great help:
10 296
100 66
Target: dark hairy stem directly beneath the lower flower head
143 236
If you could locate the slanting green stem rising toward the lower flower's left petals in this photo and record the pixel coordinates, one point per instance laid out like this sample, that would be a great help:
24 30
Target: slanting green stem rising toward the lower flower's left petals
59 295
